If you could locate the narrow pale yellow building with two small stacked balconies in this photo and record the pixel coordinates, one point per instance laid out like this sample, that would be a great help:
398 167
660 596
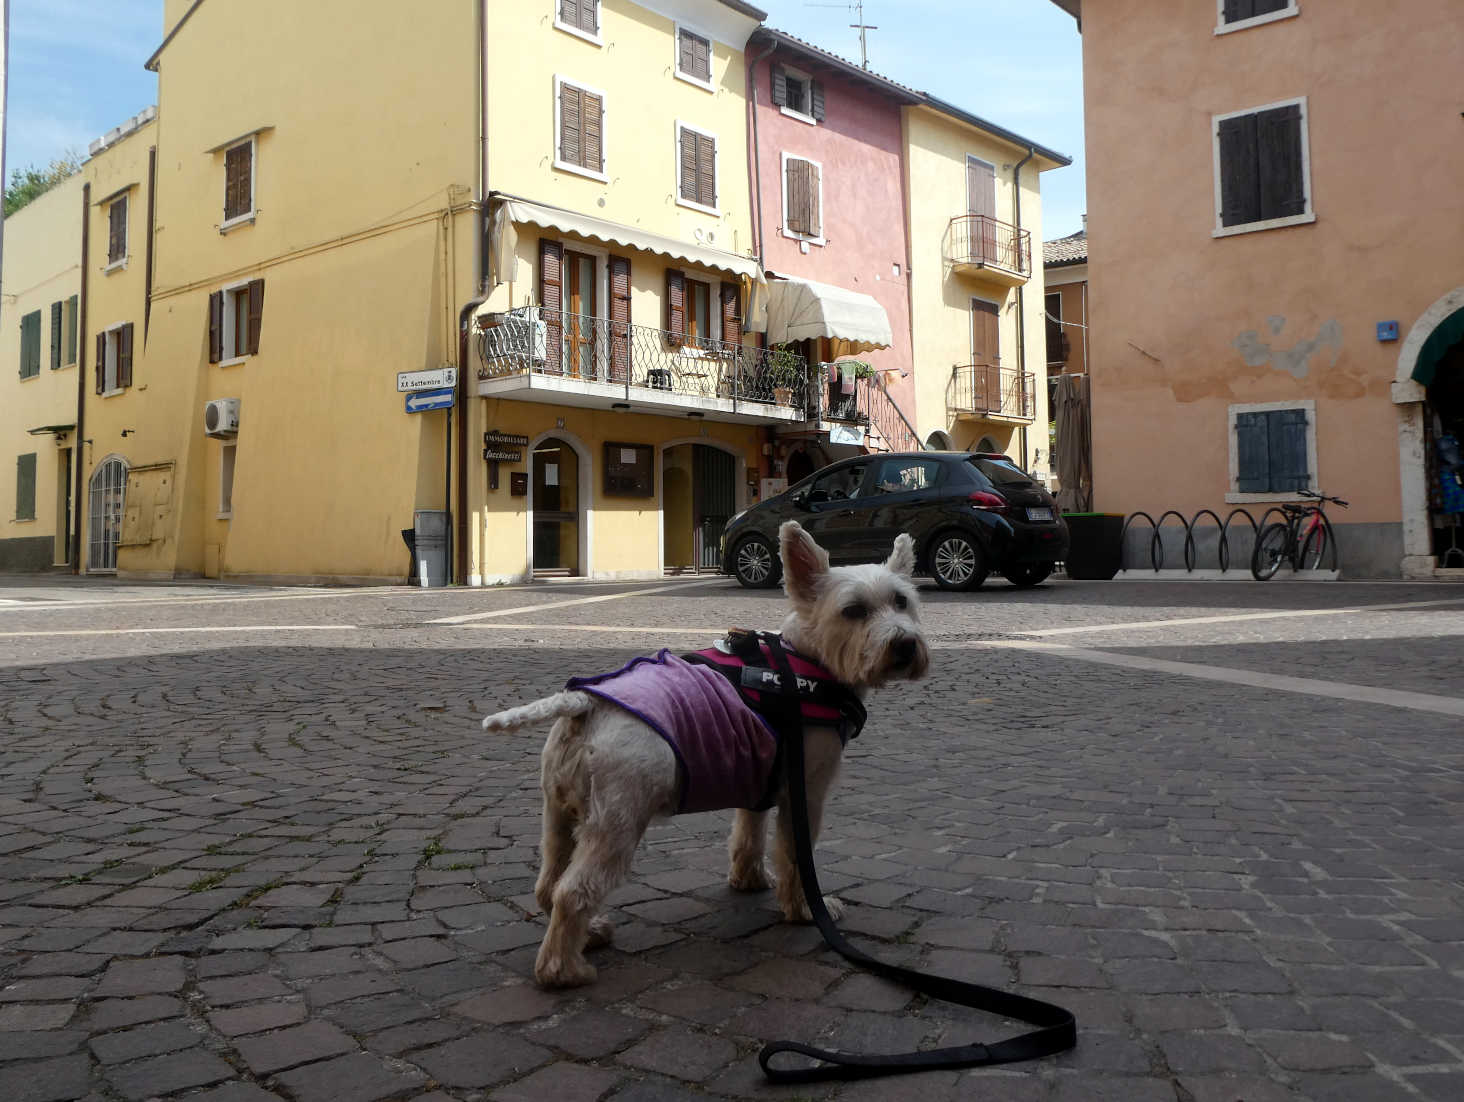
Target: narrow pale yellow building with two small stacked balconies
977 318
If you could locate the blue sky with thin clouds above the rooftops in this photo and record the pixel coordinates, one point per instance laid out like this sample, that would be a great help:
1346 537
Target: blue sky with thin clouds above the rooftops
77 71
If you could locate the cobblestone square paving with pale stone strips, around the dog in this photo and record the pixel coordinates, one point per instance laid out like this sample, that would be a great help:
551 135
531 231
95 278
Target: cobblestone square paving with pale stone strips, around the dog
255 847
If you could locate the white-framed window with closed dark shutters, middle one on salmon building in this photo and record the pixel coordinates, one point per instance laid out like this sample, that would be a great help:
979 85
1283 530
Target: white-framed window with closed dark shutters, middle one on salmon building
1263 169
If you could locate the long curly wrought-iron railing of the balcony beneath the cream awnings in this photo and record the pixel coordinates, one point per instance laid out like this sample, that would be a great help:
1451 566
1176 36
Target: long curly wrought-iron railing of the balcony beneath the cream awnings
578 348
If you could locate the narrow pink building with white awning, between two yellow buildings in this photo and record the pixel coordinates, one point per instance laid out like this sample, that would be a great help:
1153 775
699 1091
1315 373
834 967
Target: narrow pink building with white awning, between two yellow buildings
829 211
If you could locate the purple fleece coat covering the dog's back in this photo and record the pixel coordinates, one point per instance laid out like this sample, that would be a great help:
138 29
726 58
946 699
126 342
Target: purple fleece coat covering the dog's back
725 751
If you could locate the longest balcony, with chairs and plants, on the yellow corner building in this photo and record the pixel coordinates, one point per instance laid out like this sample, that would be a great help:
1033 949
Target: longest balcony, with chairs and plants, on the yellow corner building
569 359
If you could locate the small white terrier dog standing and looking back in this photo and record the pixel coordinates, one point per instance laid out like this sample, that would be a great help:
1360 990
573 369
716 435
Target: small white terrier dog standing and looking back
607 772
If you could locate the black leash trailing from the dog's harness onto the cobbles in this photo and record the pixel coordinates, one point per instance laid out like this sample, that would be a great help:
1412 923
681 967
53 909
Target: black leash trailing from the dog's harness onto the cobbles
1058 1028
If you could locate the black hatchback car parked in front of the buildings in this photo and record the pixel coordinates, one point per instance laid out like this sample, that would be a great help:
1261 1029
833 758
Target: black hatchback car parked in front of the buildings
970 514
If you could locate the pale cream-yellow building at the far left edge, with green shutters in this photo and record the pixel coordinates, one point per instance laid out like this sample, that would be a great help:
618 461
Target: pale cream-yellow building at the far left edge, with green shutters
39 351
